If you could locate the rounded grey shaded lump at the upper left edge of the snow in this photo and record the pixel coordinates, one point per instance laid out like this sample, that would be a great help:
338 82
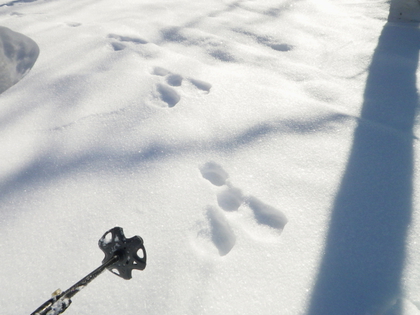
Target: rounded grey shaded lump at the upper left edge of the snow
18 54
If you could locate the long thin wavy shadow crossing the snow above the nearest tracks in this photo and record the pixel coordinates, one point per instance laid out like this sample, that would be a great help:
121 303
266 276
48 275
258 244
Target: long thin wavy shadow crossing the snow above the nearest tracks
51 165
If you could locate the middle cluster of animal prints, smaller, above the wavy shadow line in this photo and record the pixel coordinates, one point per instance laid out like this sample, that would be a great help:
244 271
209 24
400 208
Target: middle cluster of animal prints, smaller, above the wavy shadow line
167 91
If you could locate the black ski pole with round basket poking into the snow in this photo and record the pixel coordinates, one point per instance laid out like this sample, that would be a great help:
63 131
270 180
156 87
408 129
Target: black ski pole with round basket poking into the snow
121 257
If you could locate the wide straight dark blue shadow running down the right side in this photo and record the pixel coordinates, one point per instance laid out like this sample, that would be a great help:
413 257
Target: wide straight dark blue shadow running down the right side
364 255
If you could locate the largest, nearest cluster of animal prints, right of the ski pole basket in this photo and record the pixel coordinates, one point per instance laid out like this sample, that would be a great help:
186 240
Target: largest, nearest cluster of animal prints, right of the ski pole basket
230 198
